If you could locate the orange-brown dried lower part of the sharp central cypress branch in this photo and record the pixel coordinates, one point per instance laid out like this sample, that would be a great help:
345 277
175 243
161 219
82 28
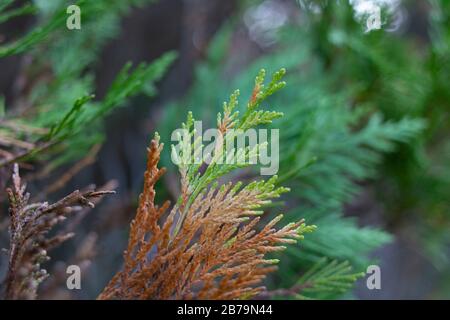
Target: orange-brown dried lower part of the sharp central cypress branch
218 253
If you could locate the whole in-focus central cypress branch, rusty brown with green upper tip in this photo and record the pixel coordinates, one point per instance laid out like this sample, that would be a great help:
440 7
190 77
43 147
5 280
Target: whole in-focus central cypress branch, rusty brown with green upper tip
210 245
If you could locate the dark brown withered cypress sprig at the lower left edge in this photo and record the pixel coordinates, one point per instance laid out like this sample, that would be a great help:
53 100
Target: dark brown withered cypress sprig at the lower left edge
29 243
